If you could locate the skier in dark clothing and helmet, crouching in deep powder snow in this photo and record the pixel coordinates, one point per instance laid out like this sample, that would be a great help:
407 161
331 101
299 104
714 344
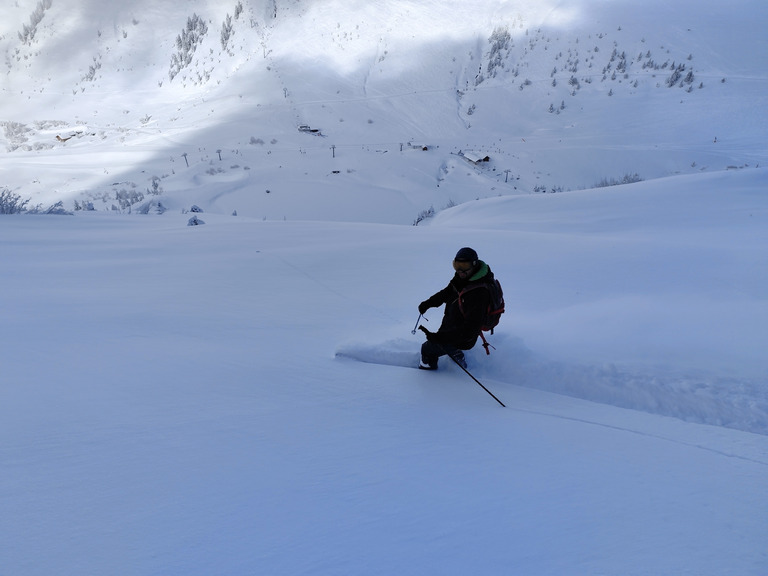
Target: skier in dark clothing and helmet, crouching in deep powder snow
464 311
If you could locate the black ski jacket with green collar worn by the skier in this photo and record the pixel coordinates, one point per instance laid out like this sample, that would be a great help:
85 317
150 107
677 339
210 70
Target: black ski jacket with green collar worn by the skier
462 329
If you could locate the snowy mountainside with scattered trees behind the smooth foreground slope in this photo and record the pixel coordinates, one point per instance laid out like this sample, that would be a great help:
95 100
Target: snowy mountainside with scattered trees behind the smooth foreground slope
556 97
